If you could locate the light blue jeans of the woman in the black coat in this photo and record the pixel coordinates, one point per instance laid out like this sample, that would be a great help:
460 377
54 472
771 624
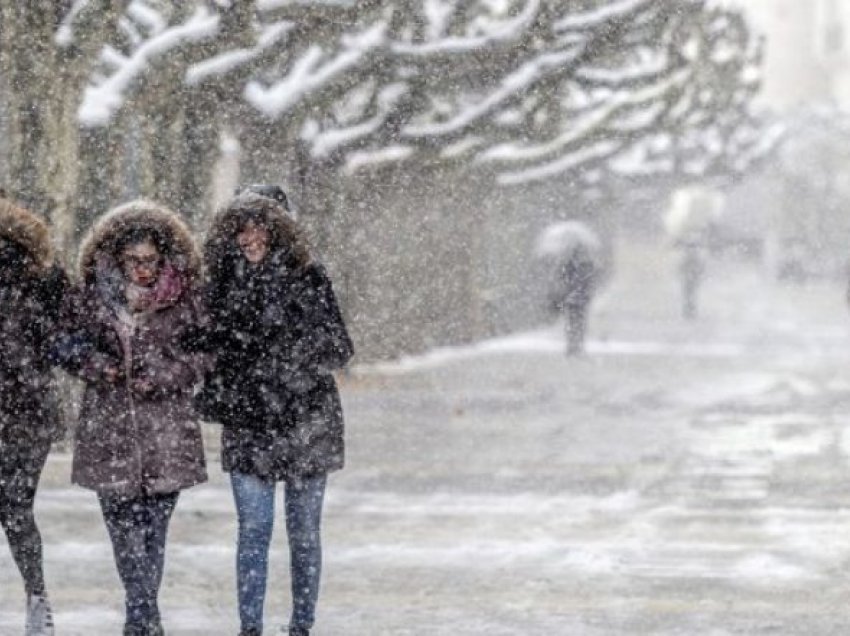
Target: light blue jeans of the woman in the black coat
303 499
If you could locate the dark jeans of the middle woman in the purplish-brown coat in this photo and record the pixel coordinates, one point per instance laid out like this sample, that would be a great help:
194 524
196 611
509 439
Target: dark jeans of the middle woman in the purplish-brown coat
138 527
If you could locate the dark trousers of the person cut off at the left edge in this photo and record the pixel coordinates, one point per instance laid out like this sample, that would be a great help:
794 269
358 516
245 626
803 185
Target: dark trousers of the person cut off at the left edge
20 470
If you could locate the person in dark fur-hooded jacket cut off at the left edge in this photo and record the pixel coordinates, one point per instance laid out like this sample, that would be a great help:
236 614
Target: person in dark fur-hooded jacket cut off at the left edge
31 290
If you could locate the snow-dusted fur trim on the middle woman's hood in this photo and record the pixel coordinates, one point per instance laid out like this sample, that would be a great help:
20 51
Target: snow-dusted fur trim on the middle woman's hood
102 238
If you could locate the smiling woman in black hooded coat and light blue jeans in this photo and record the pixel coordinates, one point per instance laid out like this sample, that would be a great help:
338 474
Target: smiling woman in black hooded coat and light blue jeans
277 334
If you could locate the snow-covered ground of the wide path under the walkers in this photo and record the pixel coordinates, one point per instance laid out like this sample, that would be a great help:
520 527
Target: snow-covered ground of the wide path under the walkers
679 479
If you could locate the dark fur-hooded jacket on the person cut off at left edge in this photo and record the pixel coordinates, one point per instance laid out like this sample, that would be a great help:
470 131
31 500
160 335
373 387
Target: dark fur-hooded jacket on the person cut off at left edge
31 292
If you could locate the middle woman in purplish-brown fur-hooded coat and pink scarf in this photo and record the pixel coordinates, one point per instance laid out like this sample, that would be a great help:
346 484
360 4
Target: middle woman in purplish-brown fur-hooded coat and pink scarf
138 442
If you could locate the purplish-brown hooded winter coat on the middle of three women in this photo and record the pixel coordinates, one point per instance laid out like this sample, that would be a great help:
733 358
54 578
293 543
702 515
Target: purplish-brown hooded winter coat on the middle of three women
127 444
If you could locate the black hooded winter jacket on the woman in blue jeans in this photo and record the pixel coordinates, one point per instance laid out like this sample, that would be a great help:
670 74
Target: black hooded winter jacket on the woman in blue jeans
277 333
